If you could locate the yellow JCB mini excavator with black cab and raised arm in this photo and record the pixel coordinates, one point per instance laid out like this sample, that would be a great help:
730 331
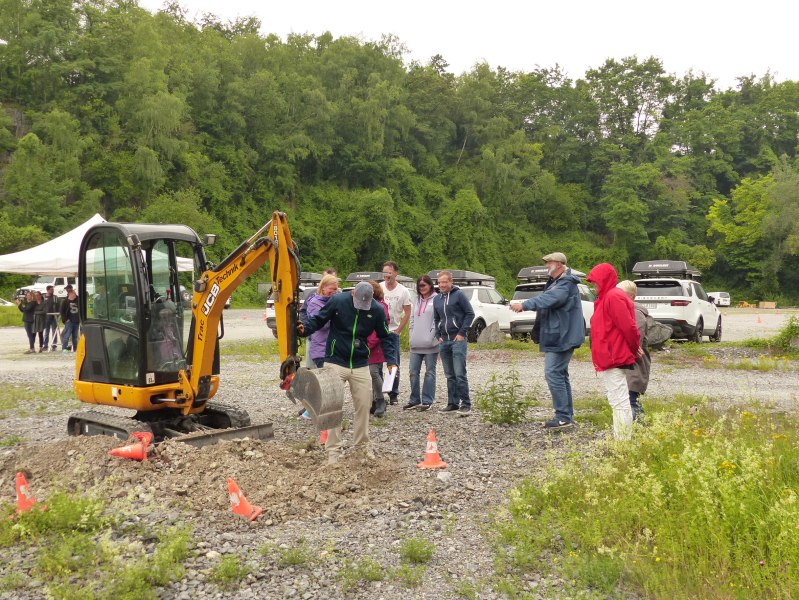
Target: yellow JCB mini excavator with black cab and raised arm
137 350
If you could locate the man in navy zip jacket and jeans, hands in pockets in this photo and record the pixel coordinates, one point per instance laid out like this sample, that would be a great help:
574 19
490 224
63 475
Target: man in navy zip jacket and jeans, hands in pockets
453 315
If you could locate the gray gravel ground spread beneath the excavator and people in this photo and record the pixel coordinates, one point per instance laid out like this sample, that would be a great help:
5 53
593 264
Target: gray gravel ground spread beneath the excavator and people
351 512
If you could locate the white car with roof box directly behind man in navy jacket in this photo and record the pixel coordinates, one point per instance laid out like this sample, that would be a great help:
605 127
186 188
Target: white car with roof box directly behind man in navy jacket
488 304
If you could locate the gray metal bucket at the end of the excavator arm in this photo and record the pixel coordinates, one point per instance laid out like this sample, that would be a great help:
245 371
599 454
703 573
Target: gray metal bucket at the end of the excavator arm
321 392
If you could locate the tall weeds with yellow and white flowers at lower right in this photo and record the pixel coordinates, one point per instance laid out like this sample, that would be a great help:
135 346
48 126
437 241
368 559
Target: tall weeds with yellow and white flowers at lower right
696 506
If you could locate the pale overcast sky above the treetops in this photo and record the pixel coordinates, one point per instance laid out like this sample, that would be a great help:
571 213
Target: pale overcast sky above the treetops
725 39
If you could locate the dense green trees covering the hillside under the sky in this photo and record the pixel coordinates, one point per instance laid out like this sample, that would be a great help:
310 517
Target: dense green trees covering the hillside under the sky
108 108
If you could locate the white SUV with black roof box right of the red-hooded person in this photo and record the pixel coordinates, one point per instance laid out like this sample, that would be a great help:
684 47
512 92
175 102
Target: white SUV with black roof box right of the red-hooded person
669 291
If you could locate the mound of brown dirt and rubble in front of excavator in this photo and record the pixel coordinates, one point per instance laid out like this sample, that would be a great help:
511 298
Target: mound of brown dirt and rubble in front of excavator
288 482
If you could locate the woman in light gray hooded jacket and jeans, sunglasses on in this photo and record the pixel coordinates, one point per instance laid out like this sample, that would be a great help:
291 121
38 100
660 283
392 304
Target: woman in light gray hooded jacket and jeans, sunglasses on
423 343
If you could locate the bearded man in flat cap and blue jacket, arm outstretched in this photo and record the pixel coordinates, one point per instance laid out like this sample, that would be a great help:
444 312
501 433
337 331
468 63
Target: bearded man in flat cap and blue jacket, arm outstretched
559 329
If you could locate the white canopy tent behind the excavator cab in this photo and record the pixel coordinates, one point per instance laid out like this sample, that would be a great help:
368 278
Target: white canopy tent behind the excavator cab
59 256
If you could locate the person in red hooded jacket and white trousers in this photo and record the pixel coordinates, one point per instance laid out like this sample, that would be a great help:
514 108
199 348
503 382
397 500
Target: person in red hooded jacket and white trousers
615 344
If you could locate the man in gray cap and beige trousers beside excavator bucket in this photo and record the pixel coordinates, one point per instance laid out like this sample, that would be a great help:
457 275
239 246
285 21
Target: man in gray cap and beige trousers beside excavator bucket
353 317
